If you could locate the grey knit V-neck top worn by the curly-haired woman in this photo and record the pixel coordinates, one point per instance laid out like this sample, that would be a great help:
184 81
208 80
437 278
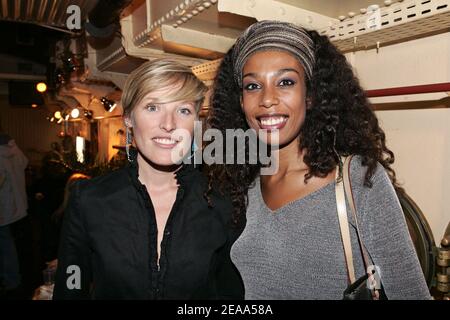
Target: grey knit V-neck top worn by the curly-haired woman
295 252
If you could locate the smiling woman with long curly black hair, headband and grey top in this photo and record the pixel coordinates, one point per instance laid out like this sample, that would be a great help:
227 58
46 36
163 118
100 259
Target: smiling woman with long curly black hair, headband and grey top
296 86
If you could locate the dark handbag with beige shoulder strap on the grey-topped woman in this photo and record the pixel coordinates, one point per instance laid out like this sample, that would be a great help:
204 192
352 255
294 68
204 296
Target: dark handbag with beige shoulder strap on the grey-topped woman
357 289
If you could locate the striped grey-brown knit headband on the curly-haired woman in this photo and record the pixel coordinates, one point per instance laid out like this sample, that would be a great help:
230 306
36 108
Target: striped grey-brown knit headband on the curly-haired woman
269 34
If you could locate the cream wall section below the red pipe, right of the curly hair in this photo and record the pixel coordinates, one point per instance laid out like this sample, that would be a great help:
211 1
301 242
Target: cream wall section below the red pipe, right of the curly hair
420 140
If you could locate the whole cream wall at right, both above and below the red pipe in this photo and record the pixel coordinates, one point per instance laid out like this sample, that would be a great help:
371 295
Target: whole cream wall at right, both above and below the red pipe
420 138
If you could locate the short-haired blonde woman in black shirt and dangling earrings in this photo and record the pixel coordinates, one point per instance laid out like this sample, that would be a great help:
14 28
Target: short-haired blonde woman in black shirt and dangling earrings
146 231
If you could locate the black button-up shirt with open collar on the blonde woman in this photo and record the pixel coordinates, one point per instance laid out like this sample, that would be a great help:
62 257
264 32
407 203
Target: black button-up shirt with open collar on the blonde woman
110 234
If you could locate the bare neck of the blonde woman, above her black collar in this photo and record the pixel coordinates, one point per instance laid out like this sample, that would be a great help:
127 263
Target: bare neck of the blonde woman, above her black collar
153 175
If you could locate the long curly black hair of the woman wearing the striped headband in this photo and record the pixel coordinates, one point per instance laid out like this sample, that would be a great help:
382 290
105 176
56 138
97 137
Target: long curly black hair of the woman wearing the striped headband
339 122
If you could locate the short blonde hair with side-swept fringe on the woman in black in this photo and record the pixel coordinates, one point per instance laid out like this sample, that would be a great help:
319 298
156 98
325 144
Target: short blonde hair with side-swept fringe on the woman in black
158 74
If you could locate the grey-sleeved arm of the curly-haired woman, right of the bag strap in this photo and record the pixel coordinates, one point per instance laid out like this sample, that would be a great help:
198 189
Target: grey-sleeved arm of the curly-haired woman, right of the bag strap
390 244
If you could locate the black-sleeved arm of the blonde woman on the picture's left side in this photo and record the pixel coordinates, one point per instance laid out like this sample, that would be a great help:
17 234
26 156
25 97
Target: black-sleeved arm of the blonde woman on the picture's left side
73 275
